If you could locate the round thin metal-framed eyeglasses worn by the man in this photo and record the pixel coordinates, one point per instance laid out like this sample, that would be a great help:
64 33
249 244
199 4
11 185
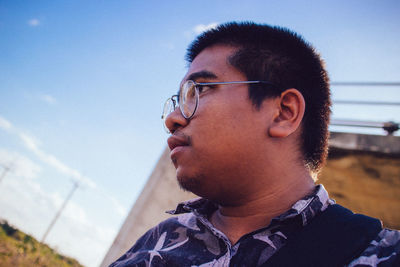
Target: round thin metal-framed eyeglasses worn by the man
188 98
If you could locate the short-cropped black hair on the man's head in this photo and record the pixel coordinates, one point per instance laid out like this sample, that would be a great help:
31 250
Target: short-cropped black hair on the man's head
284 58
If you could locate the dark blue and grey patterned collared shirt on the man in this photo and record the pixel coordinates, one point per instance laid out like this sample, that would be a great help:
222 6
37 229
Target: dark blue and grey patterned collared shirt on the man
191 240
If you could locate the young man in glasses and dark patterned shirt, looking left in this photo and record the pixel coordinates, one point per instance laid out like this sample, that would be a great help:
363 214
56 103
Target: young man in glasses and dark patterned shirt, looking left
249 130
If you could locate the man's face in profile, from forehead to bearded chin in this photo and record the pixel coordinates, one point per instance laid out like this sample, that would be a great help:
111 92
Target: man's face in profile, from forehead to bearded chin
214 150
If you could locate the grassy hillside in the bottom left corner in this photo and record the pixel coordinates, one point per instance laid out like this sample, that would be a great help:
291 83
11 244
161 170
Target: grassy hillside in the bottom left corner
19 249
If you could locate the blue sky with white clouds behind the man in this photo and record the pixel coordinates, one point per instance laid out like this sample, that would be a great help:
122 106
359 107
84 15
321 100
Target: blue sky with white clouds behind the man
82 85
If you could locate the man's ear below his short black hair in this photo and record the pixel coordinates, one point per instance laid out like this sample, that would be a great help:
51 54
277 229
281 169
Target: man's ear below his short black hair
290 107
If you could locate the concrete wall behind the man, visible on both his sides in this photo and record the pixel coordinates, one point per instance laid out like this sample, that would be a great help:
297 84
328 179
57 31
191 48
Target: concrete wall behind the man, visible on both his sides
362 173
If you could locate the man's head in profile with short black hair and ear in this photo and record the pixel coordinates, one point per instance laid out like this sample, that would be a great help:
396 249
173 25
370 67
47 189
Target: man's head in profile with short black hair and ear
237 125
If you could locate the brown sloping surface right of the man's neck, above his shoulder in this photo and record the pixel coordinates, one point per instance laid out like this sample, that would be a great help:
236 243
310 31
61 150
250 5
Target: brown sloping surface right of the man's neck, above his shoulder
366 183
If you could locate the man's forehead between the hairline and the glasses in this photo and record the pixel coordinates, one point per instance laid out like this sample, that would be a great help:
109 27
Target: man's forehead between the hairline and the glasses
213 63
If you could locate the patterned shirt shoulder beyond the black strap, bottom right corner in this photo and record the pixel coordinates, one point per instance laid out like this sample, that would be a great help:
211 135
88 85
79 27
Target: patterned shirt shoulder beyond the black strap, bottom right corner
384 250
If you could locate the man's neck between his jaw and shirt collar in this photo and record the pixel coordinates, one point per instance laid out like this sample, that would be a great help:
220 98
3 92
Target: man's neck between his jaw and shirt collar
258 211
